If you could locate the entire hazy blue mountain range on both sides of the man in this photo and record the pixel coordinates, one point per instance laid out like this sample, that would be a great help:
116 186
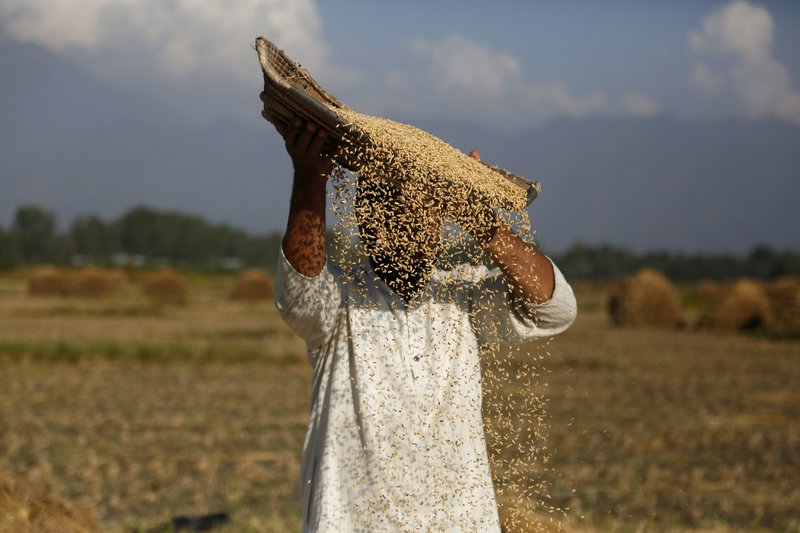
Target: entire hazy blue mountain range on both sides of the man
76 144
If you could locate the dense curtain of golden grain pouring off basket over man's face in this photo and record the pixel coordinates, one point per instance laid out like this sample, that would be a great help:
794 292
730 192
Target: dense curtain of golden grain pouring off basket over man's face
413 200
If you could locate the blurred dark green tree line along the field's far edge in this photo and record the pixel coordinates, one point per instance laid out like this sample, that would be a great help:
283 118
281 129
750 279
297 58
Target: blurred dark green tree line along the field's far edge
146 236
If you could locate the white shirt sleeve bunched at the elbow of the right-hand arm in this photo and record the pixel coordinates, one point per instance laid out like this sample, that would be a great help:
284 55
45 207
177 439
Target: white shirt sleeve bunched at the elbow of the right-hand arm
499 315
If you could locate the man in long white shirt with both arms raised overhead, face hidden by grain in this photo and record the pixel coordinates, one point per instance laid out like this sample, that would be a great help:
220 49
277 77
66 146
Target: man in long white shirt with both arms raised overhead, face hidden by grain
395 440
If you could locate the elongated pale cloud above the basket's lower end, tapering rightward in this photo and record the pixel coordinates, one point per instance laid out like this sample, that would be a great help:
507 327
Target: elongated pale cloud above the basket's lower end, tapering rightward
491 85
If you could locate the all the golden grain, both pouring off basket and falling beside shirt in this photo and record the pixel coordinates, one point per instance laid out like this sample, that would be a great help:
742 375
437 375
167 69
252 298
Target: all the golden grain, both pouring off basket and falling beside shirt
402 212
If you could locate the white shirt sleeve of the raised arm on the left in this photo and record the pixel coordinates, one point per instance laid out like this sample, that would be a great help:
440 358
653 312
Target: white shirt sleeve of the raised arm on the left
307 305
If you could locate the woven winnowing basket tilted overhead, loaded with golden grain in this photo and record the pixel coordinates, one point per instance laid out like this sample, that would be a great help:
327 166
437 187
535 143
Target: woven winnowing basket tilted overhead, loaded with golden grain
380 147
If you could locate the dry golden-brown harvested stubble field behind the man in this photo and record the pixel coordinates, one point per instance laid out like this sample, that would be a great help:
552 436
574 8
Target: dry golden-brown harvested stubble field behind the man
141 413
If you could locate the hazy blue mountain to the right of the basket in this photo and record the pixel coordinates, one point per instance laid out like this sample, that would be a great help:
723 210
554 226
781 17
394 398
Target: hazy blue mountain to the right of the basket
654 183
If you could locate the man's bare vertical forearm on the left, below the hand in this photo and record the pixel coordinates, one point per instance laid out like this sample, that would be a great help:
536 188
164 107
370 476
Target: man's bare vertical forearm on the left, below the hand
304 242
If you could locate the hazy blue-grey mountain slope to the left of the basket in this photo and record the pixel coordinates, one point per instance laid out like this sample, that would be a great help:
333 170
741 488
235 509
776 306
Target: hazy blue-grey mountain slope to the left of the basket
76 144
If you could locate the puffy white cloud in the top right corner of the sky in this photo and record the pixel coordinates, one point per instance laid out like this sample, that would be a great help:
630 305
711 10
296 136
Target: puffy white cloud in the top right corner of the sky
734 50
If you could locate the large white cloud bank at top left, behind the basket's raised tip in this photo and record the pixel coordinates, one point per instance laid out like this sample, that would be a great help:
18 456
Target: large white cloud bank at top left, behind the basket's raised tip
175 39
